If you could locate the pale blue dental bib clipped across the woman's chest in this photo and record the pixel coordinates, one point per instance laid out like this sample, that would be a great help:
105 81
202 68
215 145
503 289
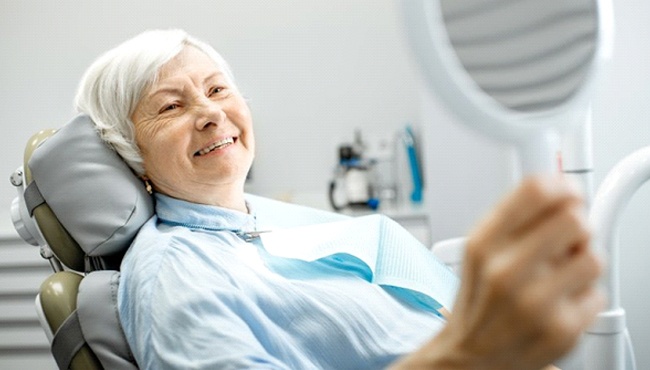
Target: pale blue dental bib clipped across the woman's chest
375 247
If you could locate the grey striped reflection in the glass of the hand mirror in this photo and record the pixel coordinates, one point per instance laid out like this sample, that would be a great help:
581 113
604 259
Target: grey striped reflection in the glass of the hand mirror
528 55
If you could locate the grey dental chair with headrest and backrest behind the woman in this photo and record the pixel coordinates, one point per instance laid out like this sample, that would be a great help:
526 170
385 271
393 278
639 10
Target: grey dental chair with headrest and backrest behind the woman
81 204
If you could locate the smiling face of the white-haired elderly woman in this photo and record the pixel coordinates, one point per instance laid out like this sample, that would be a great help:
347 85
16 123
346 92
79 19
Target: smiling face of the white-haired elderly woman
194 130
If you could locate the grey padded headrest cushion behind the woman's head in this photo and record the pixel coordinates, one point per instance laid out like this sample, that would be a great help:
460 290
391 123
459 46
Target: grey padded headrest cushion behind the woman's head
93 193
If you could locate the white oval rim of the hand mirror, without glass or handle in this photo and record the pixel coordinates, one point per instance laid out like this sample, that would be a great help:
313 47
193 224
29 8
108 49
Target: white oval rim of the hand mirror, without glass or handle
446 77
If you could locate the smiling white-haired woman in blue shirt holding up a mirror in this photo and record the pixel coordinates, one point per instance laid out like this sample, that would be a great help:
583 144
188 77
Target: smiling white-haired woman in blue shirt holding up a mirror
197 293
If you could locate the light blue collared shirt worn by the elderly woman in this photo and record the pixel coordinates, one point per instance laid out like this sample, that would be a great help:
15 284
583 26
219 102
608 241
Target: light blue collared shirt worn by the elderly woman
195 294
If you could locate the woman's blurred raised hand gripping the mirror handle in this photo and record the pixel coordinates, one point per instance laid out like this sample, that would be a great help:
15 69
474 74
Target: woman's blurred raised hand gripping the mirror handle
527 290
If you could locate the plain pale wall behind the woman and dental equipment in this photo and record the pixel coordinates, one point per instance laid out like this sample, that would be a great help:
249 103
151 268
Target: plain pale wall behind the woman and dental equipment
314 71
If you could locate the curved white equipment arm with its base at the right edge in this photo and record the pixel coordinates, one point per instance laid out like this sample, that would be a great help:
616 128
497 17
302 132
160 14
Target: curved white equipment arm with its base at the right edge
607 344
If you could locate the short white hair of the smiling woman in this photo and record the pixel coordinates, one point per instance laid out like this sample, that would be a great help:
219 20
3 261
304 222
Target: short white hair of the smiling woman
112 86
